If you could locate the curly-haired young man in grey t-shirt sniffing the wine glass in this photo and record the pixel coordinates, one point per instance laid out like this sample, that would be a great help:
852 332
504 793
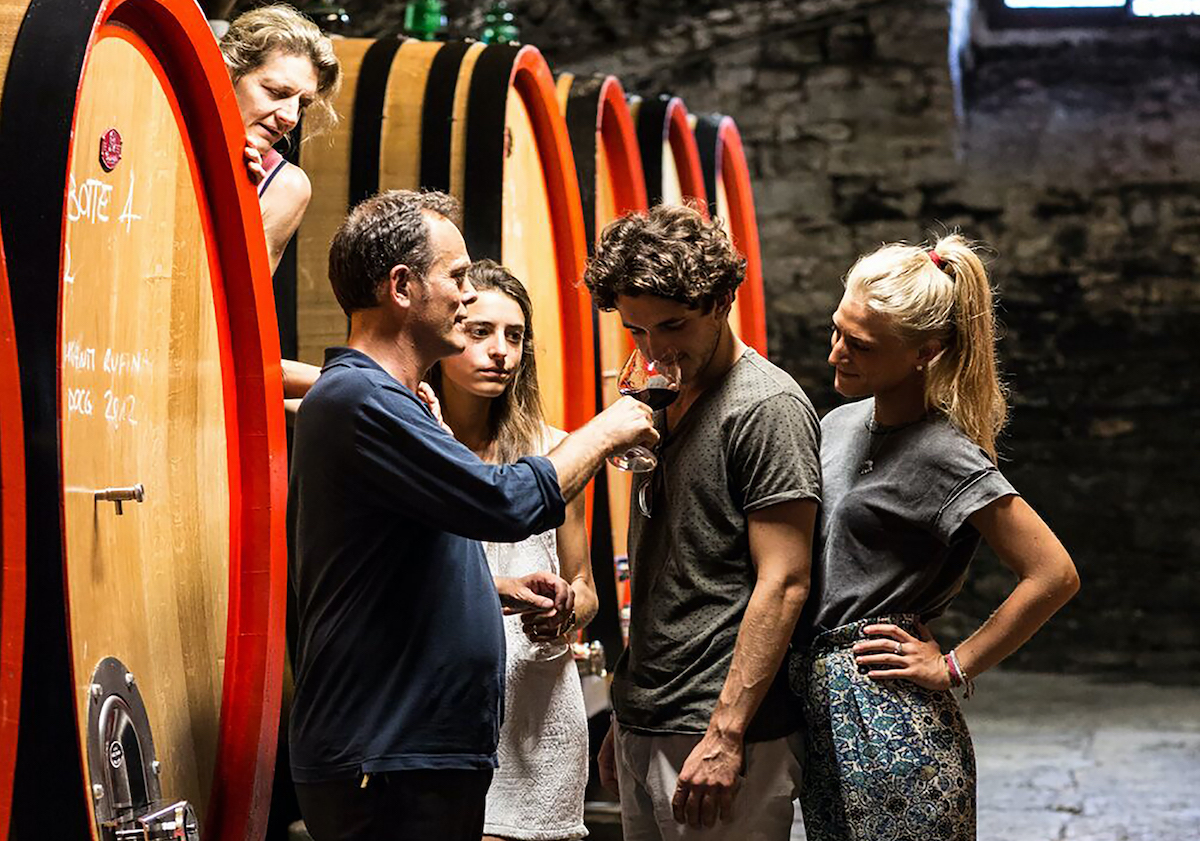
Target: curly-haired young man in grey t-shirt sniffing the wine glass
721 543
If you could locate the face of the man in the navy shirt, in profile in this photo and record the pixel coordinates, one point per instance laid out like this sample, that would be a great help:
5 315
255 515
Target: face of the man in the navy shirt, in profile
440 301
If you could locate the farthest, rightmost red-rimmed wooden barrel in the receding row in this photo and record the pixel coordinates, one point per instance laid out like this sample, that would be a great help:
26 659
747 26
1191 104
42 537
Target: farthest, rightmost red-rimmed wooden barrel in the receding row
731 200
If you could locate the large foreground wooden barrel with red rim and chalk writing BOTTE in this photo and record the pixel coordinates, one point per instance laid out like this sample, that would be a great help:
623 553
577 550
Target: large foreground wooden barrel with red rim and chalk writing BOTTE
153 417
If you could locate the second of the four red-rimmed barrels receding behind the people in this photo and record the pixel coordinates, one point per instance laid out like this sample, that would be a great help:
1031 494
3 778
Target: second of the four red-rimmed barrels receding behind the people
609 166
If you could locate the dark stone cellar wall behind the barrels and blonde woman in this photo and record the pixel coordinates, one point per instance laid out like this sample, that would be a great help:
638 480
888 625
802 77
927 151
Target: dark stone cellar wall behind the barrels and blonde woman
1073 154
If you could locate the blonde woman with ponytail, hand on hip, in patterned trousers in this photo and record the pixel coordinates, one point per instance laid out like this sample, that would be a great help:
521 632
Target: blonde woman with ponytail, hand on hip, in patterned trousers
910 488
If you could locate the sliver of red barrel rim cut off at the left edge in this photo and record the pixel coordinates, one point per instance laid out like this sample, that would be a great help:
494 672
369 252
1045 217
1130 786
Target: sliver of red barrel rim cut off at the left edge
13 551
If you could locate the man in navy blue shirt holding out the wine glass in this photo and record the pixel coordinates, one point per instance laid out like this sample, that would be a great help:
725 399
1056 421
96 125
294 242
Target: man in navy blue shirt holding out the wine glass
400 656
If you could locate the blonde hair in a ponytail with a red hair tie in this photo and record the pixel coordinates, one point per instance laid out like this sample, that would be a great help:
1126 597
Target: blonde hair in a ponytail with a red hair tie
944 295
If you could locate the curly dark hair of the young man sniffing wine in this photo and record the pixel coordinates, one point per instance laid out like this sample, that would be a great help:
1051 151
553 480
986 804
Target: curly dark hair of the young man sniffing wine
673 253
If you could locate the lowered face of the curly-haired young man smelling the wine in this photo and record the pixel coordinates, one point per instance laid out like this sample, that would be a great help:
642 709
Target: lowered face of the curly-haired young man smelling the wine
662 329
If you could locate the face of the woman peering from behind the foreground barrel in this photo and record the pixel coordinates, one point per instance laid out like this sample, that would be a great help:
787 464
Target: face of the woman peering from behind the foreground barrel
274 97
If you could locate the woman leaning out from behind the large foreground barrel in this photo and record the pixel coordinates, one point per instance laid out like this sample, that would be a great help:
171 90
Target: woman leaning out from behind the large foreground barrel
283 68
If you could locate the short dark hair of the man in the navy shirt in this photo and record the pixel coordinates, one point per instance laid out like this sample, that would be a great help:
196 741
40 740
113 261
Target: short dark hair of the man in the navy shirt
385 231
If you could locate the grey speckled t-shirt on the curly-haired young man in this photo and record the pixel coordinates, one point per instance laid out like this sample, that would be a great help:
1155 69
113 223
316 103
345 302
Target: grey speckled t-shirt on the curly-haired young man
751 442
